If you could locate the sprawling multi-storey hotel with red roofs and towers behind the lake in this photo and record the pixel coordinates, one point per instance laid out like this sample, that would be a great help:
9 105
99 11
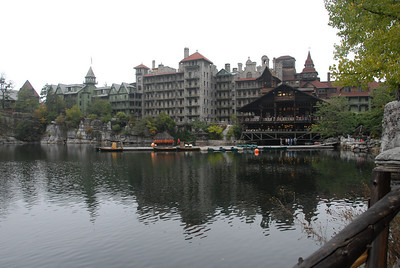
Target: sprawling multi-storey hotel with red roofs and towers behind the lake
197 90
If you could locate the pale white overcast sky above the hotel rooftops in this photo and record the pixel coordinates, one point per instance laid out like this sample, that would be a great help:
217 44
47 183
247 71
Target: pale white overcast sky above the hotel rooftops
56 41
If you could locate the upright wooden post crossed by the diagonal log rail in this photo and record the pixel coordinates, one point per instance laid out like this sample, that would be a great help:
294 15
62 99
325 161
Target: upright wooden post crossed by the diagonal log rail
377 256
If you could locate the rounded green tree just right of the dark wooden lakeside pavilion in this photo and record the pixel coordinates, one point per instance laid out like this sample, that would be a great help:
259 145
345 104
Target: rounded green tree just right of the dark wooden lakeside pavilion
335 118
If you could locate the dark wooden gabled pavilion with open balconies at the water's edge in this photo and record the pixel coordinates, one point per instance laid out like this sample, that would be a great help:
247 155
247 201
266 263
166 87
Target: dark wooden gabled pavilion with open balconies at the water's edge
282 113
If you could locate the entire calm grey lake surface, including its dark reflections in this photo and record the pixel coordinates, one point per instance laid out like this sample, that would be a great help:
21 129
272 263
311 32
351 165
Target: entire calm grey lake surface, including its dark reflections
69 206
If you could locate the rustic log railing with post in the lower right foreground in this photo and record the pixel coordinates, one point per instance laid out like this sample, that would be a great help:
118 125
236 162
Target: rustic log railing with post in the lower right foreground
368 233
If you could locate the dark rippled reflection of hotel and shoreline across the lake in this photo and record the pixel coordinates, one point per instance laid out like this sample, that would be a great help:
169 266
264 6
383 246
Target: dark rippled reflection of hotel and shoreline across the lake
197 189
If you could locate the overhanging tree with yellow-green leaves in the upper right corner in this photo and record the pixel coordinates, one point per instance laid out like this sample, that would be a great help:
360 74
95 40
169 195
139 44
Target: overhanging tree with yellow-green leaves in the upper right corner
370 38
